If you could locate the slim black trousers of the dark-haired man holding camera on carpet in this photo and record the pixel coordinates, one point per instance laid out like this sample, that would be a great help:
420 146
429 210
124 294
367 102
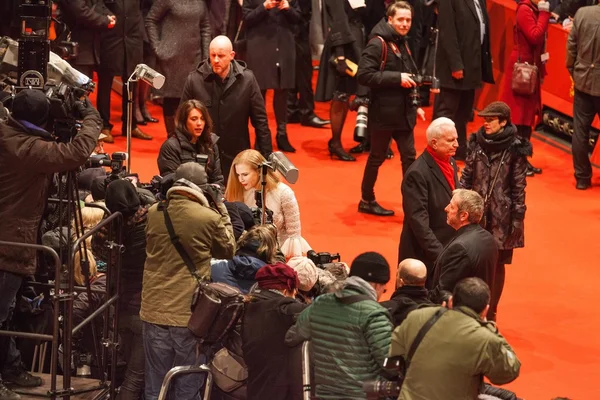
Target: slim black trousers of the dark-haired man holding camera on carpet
380 140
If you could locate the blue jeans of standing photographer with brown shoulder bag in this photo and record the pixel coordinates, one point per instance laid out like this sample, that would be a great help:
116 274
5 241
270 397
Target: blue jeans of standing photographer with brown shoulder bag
166 347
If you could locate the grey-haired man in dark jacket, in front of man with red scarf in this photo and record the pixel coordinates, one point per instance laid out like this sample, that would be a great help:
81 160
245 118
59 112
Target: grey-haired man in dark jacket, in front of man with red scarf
473 250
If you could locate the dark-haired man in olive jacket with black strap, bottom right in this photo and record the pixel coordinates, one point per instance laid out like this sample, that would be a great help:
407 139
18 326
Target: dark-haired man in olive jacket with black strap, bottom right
459 350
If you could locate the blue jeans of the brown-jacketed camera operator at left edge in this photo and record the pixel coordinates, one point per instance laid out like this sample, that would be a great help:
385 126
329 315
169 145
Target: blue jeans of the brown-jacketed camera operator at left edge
9 286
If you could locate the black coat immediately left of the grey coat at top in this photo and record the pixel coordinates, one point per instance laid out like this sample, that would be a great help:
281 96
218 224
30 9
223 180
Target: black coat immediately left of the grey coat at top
121 47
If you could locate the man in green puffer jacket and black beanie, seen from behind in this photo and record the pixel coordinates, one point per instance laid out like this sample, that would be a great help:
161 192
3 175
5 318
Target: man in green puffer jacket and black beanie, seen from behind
349 330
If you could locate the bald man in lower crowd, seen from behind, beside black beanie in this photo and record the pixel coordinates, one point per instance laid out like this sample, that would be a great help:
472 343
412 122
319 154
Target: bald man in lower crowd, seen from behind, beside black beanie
410 291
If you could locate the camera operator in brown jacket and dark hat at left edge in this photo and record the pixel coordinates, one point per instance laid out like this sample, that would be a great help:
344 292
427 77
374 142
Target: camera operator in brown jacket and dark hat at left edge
29 156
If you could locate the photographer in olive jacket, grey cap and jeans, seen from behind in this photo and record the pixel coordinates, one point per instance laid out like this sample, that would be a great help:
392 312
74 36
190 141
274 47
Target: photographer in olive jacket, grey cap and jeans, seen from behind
203 229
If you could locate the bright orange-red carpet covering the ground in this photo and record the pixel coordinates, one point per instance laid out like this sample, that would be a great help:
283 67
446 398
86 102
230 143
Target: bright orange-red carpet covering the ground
548 311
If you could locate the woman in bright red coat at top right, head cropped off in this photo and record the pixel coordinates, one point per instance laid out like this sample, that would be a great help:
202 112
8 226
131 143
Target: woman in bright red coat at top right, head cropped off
529 45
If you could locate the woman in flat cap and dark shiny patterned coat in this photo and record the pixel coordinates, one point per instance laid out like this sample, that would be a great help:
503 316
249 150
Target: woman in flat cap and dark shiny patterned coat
496 168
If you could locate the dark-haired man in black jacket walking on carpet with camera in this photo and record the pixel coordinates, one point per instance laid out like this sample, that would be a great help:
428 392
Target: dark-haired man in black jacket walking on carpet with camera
386 66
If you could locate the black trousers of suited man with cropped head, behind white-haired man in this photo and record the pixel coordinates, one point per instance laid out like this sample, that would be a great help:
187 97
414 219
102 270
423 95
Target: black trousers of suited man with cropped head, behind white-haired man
456 105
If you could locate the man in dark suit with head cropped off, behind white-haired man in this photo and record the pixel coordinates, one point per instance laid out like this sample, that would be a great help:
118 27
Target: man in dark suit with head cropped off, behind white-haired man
463 63
